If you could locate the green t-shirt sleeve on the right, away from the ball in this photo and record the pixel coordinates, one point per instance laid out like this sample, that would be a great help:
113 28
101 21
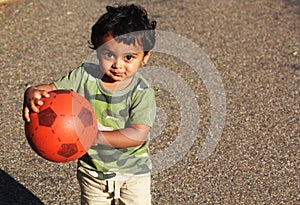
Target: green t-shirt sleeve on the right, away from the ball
143 108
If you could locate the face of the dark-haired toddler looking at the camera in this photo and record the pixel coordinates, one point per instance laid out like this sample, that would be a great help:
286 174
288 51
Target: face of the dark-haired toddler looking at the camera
120 61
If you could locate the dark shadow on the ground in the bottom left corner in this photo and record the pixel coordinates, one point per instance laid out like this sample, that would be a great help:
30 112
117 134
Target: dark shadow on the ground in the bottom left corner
12 192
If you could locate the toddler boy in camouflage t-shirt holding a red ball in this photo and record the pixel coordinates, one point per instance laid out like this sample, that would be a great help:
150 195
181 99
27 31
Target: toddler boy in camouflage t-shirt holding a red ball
116 169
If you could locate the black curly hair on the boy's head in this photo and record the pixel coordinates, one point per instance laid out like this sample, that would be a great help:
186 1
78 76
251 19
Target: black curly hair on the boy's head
126 23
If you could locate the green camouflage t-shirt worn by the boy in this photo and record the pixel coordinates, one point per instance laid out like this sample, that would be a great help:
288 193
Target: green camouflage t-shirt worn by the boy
114 110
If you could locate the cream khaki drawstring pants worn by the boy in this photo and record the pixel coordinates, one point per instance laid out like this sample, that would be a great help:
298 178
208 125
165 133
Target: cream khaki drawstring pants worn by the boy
133 191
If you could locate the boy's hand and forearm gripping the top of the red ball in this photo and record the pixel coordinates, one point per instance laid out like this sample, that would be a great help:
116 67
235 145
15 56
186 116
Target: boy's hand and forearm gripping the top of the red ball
32 98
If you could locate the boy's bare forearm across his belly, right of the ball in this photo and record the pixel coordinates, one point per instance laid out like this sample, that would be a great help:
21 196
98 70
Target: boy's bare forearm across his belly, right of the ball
128 137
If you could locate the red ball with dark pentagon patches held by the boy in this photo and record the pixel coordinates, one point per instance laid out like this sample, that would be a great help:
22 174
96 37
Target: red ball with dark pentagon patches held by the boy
65 127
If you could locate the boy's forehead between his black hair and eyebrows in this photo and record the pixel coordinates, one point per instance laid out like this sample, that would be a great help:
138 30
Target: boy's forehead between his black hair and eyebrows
110 43
